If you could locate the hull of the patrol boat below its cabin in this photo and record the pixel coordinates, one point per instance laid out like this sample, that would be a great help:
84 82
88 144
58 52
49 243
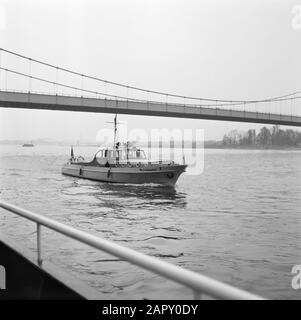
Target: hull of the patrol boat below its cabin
164 175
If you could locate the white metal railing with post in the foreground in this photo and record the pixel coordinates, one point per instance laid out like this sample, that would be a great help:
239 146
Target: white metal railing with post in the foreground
199 284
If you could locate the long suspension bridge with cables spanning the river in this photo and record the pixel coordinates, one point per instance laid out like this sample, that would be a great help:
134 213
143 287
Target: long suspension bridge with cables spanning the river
58 88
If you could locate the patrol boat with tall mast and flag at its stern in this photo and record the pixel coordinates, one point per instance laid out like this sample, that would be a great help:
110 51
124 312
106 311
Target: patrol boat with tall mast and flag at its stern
123 163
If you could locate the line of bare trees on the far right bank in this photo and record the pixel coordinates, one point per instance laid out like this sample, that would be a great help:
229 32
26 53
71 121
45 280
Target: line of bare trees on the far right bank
274 136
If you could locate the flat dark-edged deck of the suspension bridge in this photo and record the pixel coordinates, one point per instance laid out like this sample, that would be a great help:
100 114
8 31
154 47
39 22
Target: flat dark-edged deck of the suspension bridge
84 104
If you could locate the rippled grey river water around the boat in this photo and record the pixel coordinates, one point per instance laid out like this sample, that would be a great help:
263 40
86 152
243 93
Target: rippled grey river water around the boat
239 221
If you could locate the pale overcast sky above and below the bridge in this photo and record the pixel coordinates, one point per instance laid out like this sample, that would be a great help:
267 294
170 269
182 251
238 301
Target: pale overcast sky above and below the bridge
219 49
